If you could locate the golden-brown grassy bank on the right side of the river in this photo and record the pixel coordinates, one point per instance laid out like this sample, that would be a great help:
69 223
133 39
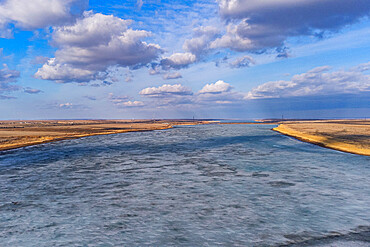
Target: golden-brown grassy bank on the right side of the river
352 136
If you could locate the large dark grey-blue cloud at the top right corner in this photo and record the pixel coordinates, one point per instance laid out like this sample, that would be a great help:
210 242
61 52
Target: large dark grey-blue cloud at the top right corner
267 24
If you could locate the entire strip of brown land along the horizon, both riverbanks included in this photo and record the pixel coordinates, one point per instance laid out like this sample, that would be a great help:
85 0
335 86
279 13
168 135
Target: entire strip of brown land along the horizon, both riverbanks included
351 136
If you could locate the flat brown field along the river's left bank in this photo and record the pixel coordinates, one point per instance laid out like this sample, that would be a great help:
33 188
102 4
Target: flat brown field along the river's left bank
16 134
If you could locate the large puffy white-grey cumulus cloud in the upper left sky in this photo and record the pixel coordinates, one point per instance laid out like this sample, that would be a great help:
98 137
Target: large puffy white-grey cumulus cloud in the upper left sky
93 44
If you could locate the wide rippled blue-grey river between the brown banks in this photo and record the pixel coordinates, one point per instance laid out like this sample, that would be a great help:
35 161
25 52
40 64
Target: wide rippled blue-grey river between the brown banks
206 185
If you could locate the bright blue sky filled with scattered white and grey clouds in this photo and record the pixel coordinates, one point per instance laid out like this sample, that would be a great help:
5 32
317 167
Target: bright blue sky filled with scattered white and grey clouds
237 59
